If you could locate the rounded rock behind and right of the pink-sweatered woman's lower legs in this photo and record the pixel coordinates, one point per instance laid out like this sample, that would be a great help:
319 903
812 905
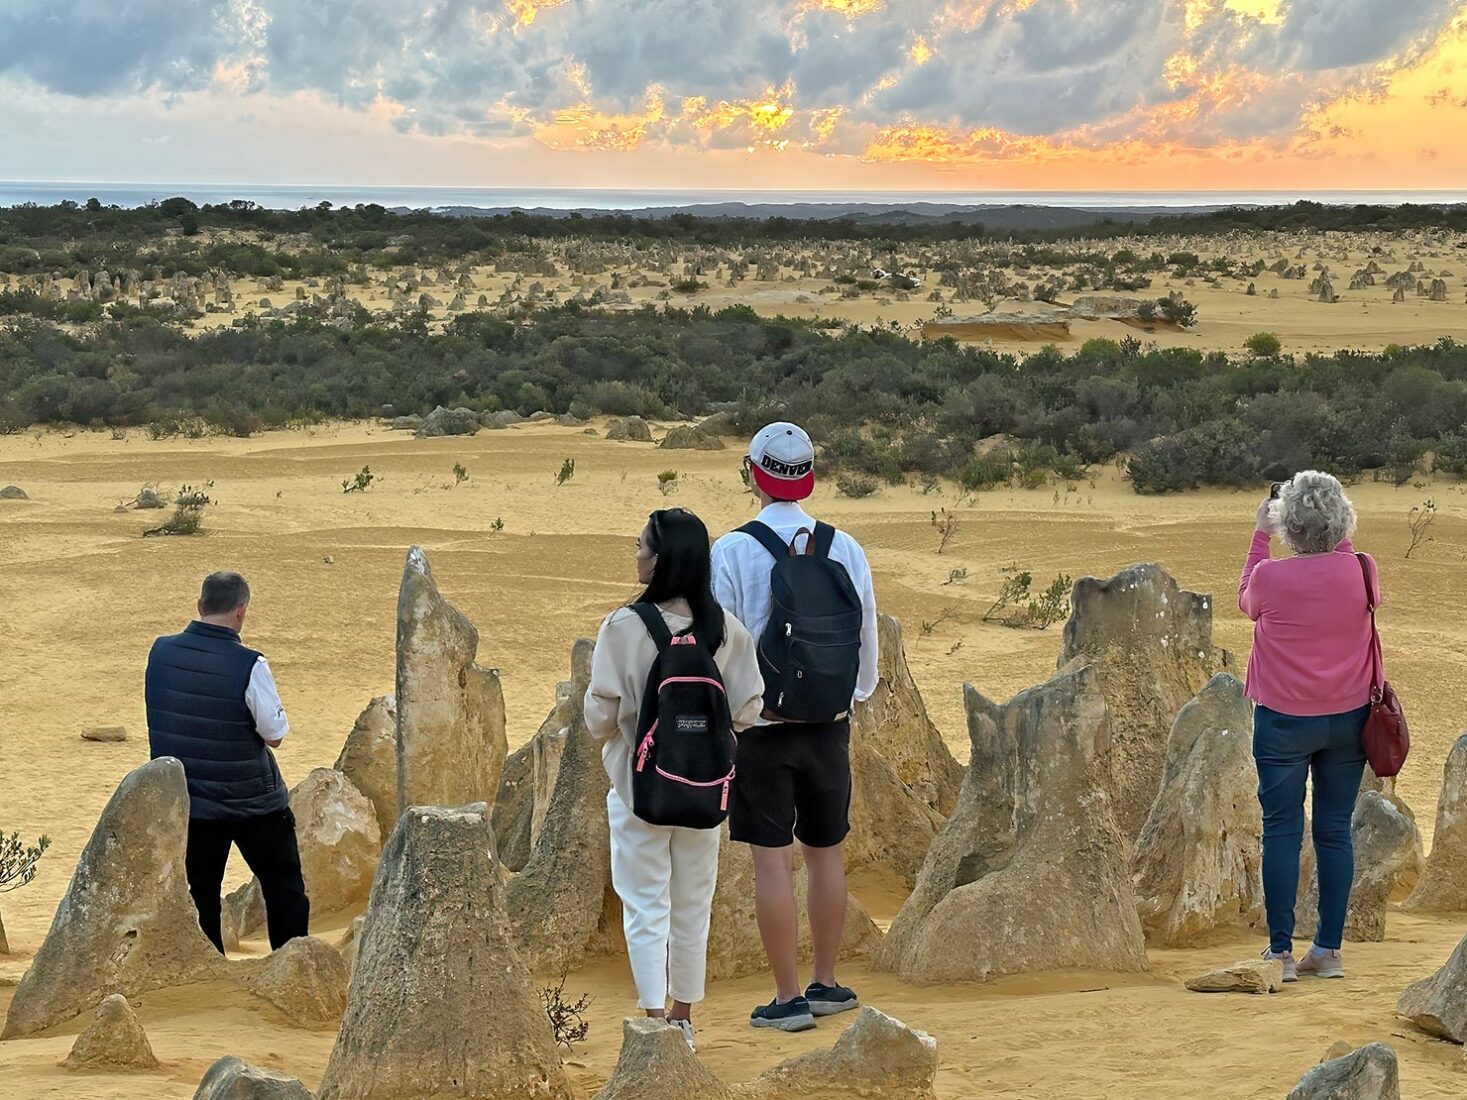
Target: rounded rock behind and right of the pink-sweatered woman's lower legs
1386 846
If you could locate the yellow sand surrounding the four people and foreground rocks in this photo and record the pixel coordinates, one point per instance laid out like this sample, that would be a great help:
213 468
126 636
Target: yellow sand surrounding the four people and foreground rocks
83 596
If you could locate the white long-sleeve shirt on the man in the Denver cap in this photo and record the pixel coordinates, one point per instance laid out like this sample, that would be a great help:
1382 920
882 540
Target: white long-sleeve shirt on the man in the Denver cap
742 568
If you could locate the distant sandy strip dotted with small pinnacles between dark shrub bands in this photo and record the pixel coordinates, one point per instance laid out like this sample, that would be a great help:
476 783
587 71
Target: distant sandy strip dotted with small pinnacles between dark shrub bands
1317 291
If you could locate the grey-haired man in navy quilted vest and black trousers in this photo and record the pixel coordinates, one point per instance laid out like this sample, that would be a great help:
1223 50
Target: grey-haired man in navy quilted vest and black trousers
213 705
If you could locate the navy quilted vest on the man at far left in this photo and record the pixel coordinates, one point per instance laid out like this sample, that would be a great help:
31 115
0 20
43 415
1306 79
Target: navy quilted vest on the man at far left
197 712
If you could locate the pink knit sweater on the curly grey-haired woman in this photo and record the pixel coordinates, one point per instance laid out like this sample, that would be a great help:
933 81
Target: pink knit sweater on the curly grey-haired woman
1312 630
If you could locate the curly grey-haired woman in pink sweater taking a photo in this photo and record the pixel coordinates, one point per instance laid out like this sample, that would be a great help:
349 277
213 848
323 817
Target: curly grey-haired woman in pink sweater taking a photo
1309 678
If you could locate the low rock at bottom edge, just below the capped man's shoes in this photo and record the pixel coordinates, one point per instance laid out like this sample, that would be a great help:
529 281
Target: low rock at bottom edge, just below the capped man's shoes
877 1058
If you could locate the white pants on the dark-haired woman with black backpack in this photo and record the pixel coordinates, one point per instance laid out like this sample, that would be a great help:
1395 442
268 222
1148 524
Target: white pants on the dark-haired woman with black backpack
665 879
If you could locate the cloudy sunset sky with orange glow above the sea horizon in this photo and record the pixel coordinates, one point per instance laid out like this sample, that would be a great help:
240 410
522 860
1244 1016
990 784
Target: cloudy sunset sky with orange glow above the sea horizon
865 95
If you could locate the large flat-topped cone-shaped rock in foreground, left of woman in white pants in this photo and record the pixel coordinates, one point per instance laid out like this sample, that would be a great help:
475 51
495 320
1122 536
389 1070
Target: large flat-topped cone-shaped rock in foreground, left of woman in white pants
441 1002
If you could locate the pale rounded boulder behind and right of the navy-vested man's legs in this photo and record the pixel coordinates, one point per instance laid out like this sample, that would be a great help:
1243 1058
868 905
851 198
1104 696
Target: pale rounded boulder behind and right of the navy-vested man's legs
340 843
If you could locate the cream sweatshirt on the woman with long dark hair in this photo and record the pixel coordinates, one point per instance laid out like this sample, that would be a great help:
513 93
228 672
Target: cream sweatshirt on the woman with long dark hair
624 656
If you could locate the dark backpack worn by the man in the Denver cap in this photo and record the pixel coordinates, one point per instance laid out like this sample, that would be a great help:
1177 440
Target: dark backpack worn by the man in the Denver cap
811 652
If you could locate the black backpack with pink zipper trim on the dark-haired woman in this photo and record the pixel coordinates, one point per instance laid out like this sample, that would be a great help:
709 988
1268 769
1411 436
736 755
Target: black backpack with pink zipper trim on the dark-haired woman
684 762
